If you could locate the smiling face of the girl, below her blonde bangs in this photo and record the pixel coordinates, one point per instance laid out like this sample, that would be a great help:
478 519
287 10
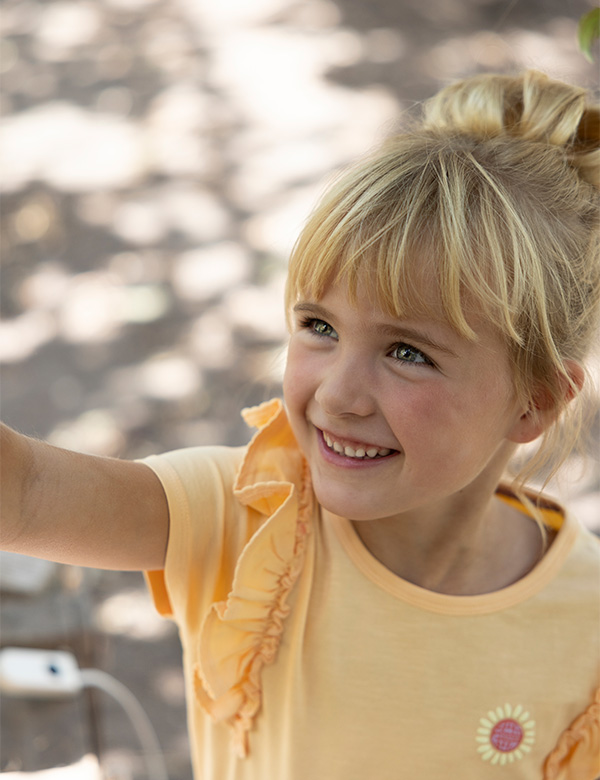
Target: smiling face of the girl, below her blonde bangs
396 416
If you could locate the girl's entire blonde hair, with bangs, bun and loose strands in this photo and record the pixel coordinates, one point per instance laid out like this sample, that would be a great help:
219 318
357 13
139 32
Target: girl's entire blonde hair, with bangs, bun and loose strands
496 191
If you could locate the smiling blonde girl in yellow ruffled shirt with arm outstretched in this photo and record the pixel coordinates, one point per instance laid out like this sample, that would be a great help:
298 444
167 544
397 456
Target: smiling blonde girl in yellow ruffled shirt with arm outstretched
358 592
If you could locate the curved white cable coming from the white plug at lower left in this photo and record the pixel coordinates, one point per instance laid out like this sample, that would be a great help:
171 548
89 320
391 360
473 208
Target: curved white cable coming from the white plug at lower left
95 678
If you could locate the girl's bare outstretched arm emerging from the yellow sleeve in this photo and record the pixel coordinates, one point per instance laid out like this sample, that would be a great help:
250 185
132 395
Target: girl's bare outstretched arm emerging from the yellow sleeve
80 509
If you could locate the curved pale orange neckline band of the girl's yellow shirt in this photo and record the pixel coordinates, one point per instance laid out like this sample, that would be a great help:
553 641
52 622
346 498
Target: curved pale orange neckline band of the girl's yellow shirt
442 603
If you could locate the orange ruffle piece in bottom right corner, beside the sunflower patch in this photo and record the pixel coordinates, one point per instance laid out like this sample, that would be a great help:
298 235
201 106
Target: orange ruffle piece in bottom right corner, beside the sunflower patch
577 753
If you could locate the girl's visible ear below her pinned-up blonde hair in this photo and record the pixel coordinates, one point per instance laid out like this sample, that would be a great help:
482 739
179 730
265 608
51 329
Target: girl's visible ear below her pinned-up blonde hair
543 411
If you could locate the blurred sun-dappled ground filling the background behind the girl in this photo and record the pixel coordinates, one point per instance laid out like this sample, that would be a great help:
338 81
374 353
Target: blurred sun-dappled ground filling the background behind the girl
158 159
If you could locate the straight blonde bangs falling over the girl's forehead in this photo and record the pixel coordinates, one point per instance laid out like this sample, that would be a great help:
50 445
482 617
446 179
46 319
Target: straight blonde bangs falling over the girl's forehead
414 229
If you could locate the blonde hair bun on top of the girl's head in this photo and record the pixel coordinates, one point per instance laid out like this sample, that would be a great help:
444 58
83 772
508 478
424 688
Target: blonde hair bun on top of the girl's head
530 106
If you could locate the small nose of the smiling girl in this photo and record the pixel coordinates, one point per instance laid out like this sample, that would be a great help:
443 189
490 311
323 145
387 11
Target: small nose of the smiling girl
346 388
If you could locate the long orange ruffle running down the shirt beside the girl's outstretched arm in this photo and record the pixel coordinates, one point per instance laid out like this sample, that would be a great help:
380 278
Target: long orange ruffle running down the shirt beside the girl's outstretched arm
242 634
